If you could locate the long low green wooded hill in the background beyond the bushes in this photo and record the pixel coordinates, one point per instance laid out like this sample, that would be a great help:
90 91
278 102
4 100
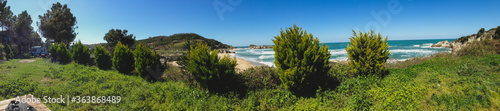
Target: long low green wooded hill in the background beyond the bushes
176 41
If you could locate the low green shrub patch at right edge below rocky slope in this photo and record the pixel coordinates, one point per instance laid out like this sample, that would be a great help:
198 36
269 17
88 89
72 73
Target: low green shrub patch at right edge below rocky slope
481 48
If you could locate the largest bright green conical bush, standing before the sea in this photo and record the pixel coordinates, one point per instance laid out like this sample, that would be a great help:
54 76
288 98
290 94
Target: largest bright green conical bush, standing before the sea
302 64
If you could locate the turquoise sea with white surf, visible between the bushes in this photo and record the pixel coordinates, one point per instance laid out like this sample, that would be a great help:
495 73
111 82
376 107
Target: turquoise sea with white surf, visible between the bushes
400 50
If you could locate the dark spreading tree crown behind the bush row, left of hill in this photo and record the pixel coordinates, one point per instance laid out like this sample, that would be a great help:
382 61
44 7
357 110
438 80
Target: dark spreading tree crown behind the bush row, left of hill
117 35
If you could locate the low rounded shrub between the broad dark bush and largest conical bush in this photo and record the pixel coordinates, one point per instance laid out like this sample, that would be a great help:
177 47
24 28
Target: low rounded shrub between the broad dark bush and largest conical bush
259 78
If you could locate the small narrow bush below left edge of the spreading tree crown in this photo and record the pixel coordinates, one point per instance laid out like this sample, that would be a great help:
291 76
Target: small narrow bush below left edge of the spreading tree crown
102 58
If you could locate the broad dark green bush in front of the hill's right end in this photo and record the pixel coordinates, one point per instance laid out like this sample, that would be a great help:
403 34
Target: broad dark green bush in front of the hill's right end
211 72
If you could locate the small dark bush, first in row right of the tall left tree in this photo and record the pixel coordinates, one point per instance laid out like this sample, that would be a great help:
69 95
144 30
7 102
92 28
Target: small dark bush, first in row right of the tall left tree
81 54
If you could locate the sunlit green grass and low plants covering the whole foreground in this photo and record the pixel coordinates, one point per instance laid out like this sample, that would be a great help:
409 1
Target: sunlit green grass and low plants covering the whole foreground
445 82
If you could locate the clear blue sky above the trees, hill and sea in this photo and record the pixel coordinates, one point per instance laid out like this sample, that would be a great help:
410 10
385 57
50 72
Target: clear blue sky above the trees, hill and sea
258 21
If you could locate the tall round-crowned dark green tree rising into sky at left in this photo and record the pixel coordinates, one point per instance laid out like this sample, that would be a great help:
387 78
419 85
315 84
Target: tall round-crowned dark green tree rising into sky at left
58 24
